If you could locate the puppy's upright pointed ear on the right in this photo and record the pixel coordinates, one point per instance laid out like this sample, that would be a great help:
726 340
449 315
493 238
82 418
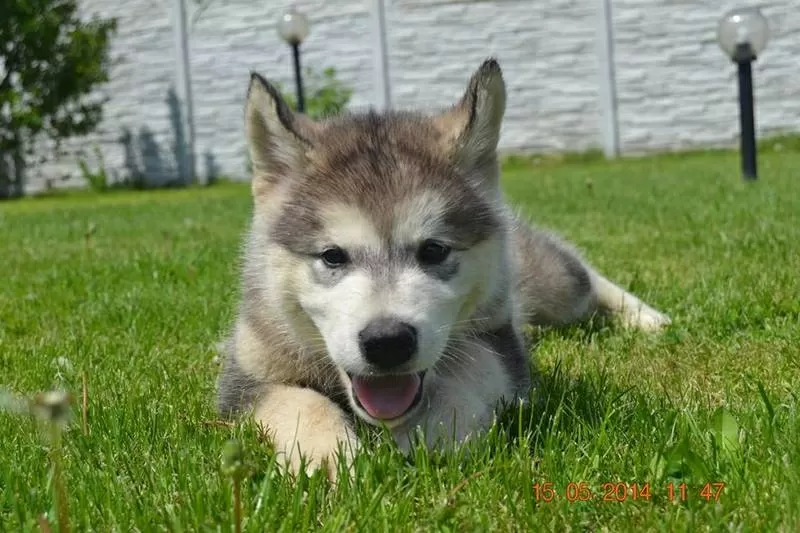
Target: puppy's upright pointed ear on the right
471 129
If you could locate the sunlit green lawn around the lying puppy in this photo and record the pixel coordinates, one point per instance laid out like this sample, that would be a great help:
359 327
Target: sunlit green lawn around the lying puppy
134 289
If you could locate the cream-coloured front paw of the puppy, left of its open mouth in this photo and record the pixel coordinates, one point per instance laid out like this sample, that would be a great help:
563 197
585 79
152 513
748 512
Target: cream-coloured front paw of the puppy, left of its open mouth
303 422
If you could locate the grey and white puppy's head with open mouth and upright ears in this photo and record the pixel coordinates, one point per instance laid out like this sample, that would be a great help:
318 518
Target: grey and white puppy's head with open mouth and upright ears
380 234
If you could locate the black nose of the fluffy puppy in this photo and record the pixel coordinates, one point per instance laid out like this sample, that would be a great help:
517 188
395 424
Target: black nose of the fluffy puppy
387 342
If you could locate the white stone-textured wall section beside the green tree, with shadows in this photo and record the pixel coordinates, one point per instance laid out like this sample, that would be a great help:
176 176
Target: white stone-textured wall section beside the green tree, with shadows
137 134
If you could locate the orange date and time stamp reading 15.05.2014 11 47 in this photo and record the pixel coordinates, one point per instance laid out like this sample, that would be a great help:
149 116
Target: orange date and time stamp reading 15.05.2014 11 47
622 492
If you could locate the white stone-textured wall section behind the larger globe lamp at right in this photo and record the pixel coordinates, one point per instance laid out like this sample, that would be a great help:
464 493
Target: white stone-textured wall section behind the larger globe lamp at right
675 87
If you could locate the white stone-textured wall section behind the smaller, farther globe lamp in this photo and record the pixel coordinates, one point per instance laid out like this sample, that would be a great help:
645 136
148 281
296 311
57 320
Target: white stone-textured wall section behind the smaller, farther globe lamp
232 38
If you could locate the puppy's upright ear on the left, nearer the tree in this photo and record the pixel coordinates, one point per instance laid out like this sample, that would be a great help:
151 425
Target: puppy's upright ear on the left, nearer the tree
279 140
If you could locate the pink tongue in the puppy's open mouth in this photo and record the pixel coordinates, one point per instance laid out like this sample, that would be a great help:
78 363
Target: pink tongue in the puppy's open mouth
386 397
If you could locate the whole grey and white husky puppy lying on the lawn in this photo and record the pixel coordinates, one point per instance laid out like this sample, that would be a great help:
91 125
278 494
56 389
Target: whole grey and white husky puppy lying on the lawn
386 279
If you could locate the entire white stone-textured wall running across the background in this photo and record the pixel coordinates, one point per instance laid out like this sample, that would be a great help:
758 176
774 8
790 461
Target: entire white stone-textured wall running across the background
675 88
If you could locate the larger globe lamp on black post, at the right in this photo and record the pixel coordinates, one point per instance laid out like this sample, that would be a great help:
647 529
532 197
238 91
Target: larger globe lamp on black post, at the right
742 34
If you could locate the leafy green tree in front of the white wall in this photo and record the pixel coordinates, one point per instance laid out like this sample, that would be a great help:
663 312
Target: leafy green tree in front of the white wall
51 61
